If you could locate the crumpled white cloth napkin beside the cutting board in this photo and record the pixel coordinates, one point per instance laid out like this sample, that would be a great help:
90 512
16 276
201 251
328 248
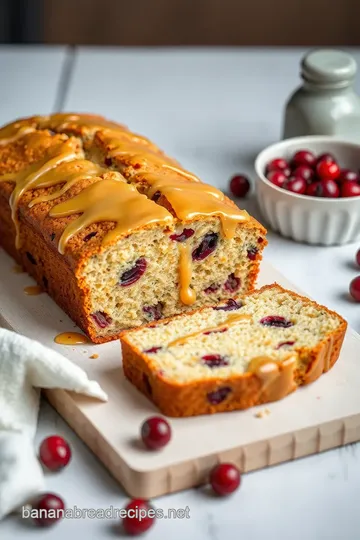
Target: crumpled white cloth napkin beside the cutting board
25 367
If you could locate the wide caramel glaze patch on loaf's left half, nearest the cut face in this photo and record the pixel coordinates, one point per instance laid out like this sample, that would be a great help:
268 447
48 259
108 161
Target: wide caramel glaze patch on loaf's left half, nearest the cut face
109 200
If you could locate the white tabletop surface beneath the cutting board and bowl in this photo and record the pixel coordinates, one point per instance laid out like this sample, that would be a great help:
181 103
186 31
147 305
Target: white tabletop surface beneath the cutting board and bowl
213 110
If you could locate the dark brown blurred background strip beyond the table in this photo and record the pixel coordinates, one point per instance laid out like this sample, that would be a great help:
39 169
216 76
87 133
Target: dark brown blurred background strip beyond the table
181 22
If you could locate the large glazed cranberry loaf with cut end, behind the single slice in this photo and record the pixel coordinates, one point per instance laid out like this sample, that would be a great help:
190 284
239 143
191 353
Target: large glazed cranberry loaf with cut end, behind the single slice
115 231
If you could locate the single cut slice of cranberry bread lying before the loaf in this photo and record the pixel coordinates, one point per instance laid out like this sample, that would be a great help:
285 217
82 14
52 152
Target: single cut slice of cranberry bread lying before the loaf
235 355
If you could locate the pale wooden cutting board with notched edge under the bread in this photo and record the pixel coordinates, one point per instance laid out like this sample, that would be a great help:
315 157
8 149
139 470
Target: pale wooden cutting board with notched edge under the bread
320 416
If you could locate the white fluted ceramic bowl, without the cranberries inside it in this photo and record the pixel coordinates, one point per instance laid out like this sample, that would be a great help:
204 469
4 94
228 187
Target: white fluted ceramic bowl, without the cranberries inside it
309 219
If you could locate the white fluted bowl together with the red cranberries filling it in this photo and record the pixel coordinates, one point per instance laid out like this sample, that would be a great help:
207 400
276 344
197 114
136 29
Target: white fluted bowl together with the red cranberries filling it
308 189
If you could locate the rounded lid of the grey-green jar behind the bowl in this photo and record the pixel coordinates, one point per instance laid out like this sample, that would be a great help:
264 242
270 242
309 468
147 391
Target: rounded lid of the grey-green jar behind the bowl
328 66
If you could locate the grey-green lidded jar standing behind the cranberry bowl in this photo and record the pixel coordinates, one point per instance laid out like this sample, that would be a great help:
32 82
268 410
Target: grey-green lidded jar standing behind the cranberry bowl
326 103
